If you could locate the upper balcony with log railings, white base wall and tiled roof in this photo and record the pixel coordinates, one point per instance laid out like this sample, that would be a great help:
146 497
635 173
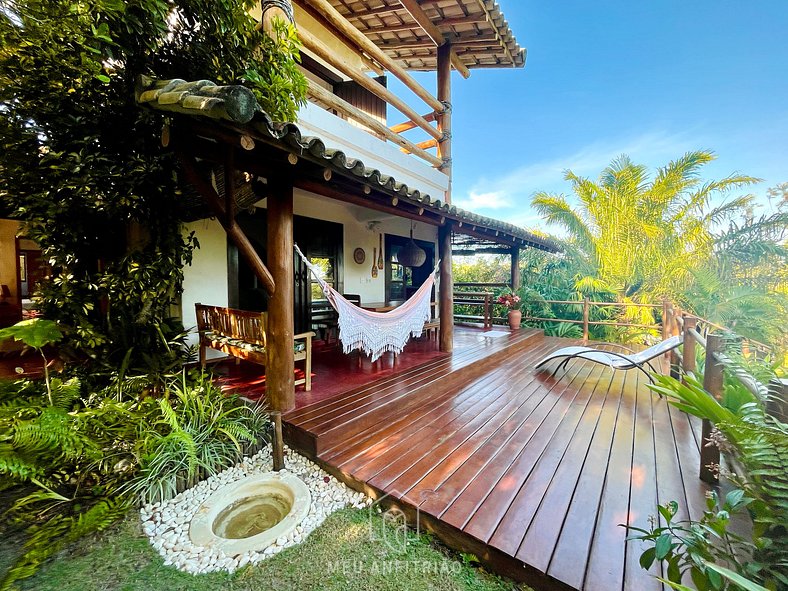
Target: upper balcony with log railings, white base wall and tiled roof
349 47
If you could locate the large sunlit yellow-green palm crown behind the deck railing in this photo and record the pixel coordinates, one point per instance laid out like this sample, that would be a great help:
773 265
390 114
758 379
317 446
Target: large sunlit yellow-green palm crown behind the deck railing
639 238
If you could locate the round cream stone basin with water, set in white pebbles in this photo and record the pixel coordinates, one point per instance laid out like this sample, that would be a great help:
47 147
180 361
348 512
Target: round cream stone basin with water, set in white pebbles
250 514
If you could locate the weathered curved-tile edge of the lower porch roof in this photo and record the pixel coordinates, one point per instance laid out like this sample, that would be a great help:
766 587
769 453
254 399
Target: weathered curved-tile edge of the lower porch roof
184 98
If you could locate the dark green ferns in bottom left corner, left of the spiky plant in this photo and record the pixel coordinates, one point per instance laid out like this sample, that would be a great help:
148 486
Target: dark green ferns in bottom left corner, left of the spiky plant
59 455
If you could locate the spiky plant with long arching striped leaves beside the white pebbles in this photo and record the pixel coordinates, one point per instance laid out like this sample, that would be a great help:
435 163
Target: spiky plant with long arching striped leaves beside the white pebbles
199 431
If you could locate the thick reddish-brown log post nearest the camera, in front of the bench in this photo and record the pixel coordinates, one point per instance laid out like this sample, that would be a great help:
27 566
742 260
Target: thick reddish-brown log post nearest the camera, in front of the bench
280 367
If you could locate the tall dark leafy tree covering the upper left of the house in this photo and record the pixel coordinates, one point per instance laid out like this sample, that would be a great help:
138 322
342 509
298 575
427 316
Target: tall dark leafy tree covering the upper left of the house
82 166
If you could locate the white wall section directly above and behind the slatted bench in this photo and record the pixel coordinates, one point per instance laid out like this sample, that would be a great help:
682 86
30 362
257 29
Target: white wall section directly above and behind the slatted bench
205 280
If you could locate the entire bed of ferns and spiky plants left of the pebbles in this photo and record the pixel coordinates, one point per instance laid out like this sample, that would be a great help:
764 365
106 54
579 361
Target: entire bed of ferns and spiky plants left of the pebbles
77 462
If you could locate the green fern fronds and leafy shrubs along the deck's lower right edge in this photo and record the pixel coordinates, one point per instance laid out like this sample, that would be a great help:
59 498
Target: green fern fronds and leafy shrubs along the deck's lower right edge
759 444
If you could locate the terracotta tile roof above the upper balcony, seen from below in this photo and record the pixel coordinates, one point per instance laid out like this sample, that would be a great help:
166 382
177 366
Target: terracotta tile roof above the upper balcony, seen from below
477 29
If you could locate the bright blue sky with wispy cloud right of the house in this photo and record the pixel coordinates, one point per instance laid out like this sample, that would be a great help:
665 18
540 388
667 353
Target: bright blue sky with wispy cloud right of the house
652 79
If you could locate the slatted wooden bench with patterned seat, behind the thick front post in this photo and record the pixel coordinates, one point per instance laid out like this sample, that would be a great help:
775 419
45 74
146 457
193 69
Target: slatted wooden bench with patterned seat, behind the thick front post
242 334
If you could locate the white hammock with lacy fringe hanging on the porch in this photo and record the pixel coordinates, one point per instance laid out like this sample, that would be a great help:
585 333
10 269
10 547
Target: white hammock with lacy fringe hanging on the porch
377 332
